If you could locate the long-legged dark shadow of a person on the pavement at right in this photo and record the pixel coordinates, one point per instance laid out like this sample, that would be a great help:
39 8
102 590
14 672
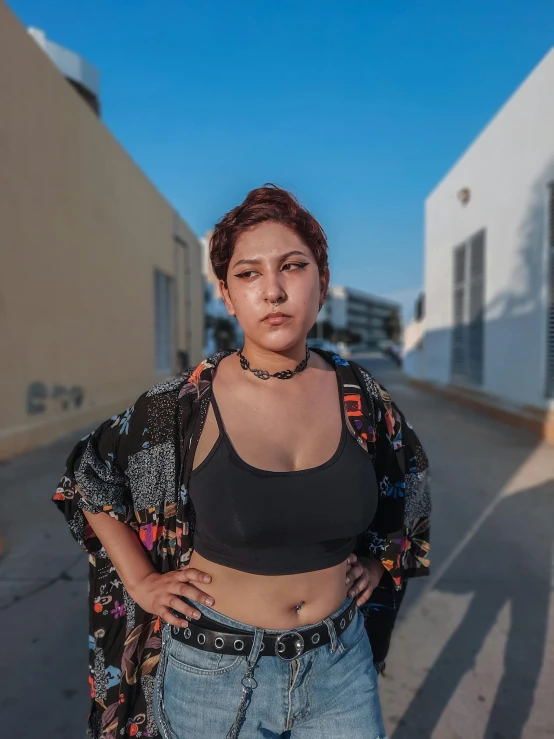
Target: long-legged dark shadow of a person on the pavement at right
508 562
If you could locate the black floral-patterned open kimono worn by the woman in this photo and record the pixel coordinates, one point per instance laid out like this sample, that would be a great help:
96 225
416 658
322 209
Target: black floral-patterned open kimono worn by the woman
136 467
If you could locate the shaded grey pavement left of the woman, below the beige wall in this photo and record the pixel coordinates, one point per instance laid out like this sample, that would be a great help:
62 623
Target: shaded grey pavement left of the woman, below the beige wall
43 603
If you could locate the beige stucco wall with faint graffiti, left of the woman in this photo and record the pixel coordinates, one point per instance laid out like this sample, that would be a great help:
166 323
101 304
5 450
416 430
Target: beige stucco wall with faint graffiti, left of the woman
81 231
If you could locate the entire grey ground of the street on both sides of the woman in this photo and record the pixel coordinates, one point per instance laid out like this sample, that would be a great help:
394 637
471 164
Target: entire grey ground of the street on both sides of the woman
473 652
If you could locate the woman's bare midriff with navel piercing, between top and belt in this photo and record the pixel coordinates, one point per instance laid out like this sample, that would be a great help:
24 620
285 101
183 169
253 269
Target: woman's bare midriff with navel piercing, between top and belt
271 601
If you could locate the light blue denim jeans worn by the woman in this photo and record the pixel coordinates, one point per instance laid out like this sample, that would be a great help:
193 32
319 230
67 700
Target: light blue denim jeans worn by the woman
328 693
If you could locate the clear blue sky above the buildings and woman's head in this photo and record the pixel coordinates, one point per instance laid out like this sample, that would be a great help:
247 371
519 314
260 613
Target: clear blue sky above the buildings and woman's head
360 107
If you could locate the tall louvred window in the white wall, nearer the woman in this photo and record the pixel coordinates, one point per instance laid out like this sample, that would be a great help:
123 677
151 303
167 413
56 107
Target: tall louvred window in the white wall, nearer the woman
468 307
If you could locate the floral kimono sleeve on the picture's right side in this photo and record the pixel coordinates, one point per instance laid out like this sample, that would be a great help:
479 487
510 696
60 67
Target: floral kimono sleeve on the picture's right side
399 533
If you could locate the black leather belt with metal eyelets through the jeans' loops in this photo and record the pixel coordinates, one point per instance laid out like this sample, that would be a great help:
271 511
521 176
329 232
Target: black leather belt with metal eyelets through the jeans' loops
211 636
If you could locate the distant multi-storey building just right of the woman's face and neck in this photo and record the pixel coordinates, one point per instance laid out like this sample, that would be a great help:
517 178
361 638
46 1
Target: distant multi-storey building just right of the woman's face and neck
360 313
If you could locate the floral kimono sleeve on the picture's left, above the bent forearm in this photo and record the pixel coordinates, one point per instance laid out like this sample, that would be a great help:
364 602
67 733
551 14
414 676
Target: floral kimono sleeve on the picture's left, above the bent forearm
95 480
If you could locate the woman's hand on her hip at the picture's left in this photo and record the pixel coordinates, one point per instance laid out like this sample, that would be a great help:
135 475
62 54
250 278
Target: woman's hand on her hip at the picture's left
159 594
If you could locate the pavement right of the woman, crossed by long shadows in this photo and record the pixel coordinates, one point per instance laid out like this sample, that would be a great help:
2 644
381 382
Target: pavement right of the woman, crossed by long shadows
473 652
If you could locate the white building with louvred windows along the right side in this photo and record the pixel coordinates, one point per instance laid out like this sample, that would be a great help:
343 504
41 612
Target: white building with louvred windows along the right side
489 259
